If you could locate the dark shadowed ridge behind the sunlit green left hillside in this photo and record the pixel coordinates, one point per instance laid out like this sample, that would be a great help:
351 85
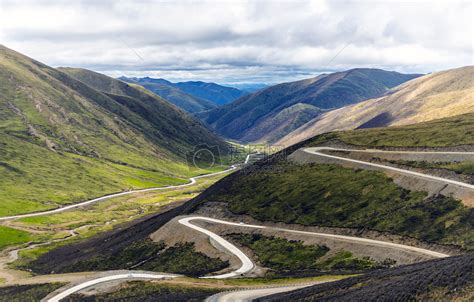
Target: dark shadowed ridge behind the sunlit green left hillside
155 117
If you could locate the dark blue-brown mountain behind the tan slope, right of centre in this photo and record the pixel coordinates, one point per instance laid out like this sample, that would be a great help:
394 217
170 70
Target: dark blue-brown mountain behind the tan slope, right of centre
273 112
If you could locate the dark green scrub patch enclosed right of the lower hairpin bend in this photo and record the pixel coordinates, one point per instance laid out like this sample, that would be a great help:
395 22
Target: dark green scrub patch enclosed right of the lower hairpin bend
283 255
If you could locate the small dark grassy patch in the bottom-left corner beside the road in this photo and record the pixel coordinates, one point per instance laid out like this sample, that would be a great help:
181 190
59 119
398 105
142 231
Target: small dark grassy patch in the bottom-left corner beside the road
27 293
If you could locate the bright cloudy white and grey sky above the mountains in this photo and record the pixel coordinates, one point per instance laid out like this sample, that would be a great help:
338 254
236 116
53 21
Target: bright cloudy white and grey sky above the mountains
240 41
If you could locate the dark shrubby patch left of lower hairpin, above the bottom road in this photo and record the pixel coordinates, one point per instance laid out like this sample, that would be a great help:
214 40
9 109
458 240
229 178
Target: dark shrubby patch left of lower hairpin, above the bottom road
151 256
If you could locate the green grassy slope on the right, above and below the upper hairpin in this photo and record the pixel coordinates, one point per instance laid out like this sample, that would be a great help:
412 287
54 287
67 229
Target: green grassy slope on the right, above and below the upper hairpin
329 195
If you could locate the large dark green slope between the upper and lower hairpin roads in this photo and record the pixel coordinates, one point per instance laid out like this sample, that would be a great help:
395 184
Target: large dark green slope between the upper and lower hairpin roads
333 196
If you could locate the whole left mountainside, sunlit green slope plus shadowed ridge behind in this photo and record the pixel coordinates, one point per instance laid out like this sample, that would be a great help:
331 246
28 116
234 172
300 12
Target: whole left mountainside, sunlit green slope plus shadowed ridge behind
62 141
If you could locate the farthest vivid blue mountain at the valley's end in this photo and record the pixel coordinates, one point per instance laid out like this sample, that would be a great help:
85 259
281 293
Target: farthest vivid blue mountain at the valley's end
192 96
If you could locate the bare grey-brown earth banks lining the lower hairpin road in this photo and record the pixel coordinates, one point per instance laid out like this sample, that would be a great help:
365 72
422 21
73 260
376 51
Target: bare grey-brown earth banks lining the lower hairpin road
173 233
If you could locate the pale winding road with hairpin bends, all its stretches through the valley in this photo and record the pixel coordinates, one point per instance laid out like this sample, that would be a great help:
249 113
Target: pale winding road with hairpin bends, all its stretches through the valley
246 264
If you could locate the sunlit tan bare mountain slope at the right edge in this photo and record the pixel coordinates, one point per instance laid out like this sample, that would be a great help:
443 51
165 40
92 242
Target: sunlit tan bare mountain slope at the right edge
433 96
